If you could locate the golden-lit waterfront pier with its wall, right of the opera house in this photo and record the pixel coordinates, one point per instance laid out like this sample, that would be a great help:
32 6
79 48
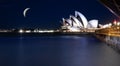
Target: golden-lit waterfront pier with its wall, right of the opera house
110 35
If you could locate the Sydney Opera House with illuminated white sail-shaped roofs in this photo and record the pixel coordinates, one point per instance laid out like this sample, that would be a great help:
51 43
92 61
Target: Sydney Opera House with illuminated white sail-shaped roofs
78 23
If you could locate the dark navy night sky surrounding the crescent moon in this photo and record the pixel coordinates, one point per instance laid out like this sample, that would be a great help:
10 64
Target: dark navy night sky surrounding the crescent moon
49 13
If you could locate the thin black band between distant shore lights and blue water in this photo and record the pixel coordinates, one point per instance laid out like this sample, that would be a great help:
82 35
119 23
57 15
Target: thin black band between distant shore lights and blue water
45 34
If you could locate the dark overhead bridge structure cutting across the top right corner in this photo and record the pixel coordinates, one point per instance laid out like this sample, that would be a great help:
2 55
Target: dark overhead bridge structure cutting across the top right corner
112 5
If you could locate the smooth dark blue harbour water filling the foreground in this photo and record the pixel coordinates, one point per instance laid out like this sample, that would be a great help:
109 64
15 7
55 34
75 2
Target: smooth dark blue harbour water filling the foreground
56 51
